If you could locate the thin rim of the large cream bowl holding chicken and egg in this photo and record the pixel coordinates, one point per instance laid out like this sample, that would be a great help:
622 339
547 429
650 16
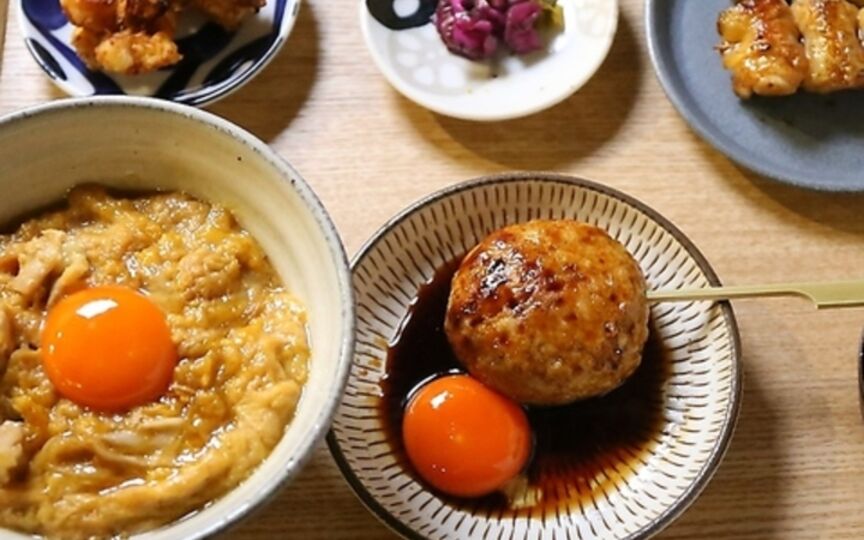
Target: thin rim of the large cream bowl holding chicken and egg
303 453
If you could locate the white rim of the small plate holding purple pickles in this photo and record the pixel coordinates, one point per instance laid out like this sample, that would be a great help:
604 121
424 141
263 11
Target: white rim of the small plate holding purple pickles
408 92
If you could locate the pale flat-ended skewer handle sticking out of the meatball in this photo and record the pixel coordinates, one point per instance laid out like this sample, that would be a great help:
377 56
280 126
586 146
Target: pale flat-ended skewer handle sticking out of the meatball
824 295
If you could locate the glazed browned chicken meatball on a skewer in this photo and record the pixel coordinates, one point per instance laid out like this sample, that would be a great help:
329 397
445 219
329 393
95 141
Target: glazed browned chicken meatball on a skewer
548 312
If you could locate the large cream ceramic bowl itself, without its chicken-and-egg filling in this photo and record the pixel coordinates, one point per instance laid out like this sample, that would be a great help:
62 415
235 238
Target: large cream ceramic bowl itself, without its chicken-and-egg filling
139 143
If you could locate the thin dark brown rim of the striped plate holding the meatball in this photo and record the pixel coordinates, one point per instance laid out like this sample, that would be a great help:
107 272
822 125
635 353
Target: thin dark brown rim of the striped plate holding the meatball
730 421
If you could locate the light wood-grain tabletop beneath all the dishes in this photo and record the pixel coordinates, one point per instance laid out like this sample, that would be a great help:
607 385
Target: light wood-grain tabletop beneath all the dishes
795 468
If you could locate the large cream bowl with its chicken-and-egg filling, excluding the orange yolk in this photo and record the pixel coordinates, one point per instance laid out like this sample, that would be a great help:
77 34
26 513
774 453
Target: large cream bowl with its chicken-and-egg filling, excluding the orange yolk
239 332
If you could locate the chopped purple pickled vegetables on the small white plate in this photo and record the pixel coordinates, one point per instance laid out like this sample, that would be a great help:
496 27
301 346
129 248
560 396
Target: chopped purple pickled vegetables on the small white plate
475 28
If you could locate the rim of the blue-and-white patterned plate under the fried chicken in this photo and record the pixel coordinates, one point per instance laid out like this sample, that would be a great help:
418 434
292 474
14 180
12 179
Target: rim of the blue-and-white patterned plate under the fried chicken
286 26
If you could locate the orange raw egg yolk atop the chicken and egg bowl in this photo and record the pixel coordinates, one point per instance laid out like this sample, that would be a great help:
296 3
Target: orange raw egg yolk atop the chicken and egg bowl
108 348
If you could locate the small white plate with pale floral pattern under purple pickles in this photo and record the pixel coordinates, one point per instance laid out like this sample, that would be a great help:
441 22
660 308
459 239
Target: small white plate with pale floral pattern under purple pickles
407 49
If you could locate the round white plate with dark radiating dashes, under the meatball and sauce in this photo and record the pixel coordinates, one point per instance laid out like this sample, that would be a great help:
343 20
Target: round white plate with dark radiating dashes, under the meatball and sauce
628 497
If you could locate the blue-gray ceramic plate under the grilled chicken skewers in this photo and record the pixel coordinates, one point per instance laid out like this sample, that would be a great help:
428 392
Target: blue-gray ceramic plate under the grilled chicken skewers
805 140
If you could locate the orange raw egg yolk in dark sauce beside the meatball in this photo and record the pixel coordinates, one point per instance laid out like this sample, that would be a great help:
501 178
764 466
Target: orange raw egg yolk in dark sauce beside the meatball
463 438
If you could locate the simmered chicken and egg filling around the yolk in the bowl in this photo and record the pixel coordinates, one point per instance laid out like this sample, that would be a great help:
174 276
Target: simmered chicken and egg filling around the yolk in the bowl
66 470
